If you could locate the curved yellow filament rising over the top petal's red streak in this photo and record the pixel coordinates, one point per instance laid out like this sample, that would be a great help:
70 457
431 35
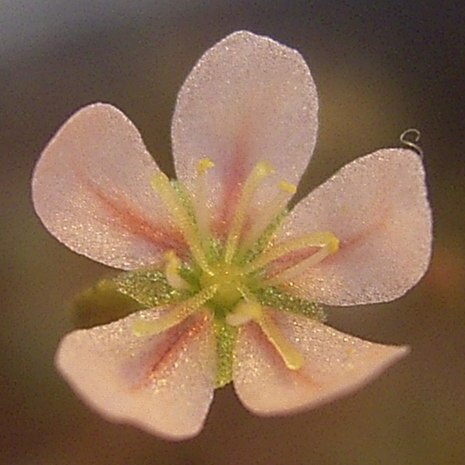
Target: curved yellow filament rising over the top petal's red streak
255 178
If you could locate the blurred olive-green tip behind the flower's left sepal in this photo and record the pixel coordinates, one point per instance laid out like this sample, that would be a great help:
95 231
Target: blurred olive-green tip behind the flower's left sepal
101 304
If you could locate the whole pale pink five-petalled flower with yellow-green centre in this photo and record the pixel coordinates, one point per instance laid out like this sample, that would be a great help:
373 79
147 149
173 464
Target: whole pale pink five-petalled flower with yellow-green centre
228 283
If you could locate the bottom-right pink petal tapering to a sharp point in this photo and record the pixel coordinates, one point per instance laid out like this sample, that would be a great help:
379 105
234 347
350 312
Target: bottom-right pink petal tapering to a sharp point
335 365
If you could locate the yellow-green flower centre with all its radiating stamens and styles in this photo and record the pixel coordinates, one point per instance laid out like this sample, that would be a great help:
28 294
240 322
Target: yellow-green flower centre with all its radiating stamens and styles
232 278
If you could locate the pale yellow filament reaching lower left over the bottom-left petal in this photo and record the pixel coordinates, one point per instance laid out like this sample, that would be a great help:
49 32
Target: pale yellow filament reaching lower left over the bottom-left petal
174 316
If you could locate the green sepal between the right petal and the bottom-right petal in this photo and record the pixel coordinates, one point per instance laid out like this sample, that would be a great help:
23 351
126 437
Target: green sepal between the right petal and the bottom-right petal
280 300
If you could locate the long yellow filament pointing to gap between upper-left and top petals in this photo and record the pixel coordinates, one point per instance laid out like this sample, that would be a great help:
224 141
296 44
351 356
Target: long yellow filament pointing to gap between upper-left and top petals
165 190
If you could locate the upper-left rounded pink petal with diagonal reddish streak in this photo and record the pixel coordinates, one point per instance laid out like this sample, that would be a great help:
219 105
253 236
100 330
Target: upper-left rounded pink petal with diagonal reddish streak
91 189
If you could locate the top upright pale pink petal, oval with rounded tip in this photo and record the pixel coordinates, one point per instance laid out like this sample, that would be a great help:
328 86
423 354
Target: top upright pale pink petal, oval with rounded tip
248 99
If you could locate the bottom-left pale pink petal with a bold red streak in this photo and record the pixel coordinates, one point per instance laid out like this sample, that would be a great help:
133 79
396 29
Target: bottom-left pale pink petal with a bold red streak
162 384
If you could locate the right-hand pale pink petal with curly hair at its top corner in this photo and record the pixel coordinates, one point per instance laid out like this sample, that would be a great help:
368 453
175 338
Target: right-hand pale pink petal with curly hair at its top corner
378 208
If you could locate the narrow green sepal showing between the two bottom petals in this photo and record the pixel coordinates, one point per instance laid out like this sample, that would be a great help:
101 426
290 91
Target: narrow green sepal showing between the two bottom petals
226 336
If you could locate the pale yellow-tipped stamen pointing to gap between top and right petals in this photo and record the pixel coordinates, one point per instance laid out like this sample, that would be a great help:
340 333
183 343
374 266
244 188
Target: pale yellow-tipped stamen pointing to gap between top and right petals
271 211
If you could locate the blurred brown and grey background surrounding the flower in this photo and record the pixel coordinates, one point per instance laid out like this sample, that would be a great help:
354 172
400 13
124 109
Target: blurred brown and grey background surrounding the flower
380 67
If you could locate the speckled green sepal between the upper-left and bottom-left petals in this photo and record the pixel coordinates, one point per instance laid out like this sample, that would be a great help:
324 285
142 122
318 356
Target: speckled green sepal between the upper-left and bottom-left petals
148 287
